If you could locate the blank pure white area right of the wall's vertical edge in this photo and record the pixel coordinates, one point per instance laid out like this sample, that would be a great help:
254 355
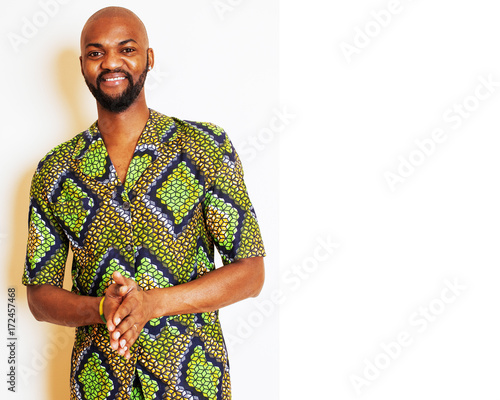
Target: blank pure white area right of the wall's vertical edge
422 63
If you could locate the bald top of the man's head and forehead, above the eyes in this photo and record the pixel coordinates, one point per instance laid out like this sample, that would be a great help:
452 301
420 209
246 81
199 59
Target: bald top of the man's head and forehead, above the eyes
114 18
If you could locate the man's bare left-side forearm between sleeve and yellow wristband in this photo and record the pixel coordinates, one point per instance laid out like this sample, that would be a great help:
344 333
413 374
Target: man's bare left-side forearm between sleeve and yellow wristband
52 304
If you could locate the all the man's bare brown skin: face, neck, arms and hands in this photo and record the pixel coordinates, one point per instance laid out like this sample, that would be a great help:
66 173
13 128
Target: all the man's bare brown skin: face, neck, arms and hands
114 38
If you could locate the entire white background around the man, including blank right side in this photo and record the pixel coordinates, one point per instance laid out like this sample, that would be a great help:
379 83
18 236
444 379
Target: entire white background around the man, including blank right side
357 118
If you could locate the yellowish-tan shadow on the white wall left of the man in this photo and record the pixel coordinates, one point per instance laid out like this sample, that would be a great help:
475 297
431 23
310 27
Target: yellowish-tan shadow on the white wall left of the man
53 358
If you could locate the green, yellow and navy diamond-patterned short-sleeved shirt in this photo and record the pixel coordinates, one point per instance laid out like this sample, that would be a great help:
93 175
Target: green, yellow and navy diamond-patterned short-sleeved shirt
183 195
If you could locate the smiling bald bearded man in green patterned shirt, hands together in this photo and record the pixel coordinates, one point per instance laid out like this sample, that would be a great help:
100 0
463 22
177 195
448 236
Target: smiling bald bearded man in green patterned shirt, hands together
142 199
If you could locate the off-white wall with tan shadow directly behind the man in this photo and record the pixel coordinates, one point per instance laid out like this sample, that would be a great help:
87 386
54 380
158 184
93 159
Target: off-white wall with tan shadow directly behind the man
216 64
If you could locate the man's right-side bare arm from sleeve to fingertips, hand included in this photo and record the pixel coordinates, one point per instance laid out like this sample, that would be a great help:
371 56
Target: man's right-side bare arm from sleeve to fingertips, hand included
226 285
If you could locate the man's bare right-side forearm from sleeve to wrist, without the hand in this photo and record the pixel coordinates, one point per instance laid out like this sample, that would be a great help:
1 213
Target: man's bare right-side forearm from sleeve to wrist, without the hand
226 285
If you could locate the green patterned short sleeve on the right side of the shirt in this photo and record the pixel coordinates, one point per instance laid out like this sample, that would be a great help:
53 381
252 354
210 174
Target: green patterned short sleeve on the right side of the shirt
230 216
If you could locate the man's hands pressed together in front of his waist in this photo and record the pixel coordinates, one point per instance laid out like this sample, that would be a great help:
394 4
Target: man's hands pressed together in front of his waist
126 310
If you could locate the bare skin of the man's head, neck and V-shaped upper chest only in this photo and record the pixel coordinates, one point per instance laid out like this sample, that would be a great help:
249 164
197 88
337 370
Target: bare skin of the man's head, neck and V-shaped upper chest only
117 40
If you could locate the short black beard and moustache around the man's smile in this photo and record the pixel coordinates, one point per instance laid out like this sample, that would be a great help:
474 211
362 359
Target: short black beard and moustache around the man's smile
121 102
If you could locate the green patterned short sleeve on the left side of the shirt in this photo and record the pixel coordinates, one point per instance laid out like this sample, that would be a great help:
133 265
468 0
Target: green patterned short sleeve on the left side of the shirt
47 248
